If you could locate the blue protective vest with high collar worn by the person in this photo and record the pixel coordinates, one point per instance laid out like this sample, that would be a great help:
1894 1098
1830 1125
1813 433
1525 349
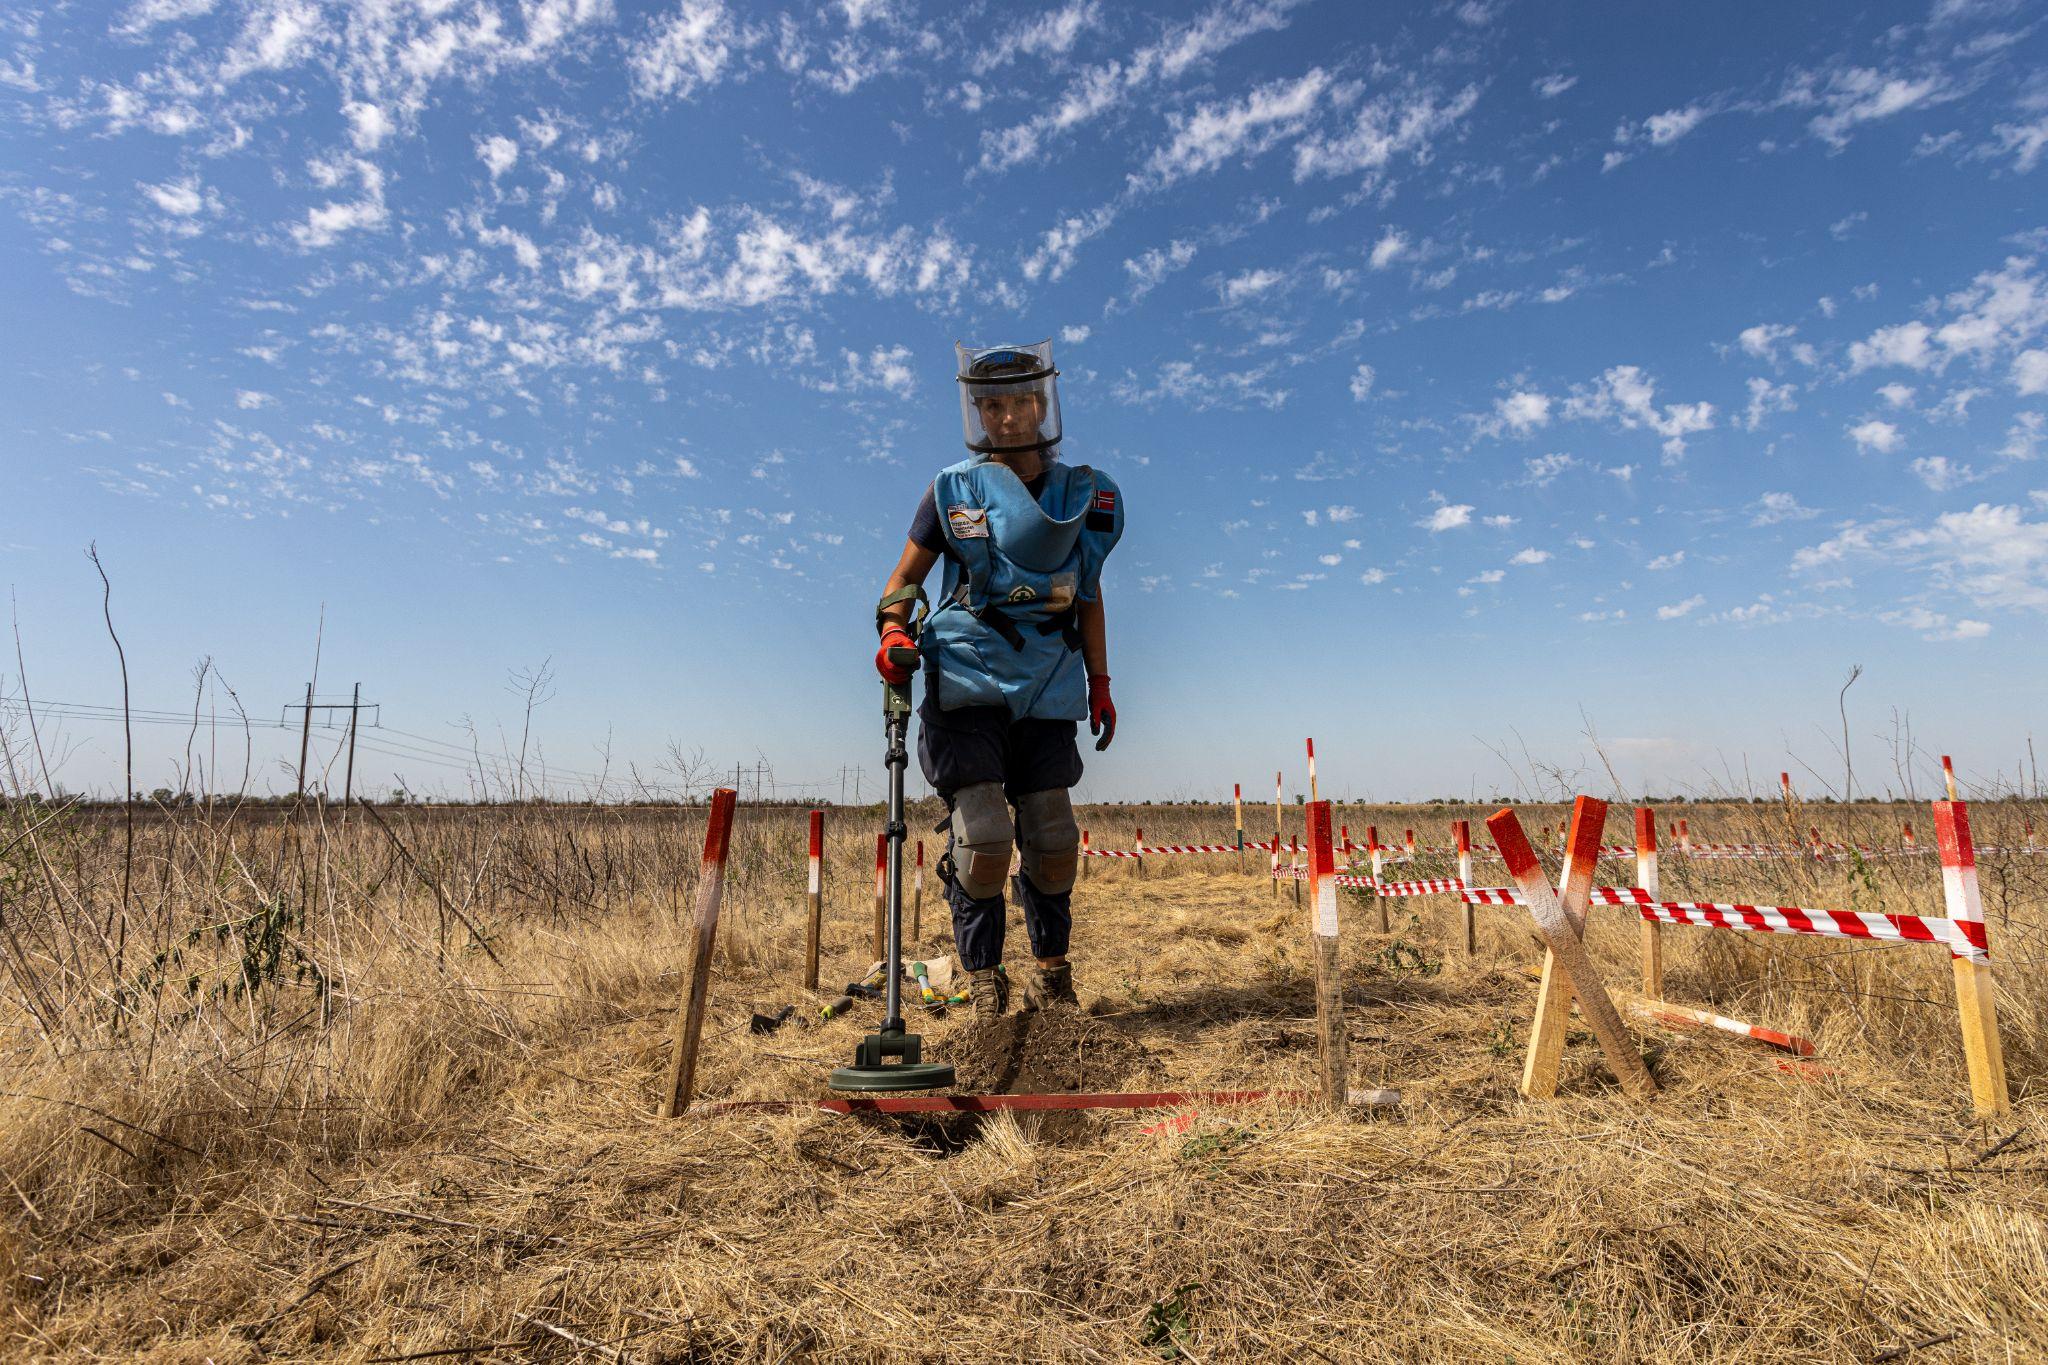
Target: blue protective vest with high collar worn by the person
1005 631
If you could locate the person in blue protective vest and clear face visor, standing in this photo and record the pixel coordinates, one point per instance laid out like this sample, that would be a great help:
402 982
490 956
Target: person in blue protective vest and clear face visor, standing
1015 660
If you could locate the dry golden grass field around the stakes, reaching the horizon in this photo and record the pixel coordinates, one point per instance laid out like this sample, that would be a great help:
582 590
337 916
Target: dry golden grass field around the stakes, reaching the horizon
321 1090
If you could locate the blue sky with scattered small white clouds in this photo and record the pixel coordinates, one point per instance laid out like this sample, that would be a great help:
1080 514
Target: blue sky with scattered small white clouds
1476 373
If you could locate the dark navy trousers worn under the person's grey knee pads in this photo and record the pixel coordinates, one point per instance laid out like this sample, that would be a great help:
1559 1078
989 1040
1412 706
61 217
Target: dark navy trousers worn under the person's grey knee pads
982 744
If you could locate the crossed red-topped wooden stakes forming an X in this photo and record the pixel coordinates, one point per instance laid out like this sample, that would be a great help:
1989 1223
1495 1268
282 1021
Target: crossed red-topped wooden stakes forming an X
1568 969
